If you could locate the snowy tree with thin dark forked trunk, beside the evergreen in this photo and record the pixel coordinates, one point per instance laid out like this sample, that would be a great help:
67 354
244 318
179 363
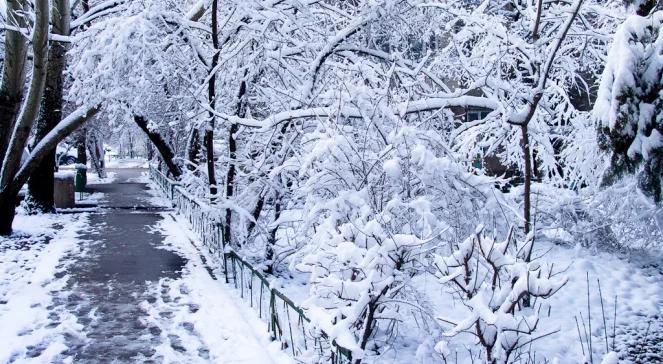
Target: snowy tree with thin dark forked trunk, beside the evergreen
523 59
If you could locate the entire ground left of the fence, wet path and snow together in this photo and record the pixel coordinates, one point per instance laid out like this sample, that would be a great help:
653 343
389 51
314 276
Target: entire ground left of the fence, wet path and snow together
61 302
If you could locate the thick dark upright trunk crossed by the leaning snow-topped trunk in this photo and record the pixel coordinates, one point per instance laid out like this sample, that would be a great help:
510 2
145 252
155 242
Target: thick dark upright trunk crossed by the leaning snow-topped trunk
40 184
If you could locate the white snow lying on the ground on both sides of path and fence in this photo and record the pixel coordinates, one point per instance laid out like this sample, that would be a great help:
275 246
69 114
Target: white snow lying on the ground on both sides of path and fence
196 317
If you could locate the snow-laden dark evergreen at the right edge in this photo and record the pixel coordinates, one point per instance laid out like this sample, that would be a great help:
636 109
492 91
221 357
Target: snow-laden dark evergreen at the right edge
629 105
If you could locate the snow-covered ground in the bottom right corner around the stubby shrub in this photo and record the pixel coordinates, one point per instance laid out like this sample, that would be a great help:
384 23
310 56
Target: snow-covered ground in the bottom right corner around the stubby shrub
637 289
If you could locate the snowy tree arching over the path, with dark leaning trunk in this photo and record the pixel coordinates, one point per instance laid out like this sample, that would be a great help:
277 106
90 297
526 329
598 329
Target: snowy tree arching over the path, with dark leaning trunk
146 45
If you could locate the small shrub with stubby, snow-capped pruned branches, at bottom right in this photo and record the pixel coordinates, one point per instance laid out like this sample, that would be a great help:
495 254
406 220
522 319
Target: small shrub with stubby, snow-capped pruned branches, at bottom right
491 279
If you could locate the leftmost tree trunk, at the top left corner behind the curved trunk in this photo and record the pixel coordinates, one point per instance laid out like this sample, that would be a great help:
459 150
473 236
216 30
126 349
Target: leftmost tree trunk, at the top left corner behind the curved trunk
13 74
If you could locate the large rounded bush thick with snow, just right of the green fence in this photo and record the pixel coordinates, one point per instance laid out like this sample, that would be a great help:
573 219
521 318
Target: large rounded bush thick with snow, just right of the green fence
378 195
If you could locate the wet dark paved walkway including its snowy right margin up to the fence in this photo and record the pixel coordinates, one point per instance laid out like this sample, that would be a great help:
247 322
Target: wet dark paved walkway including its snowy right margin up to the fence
139 302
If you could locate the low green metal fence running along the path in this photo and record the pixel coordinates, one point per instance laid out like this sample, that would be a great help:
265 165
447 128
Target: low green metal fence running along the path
286 321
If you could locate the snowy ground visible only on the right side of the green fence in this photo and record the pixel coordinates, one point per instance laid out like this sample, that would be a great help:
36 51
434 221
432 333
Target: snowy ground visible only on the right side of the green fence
634 282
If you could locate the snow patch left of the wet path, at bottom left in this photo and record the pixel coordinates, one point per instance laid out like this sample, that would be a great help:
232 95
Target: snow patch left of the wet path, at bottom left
32 269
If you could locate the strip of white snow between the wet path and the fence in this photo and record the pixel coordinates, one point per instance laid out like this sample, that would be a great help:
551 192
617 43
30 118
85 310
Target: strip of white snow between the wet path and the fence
231 332
